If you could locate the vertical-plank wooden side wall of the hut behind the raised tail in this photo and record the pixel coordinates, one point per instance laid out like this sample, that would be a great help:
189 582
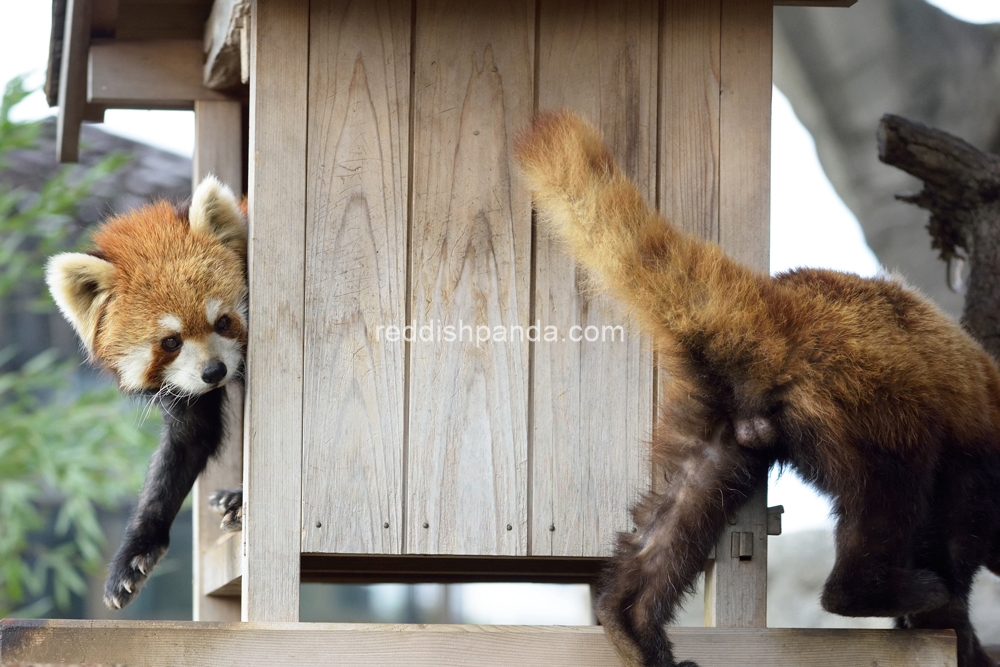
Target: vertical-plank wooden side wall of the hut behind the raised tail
414 214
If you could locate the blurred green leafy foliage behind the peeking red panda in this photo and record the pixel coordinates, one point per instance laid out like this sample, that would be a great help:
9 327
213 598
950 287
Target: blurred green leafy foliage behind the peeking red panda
64 453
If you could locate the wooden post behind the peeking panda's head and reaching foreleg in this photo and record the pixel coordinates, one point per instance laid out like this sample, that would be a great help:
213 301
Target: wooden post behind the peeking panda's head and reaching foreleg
218 150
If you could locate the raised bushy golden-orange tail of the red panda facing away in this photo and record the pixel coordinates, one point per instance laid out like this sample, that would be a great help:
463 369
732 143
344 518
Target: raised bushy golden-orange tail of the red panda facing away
669 279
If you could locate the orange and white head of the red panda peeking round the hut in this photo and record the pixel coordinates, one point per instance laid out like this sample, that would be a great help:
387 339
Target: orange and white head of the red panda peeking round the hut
161 301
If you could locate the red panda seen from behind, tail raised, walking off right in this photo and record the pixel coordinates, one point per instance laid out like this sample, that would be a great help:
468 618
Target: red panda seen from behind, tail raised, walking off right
860 385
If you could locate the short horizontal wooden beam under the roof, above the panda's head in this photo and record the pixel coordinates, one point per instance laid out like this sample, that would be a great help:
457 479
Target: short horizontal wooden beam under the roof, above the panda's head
164 74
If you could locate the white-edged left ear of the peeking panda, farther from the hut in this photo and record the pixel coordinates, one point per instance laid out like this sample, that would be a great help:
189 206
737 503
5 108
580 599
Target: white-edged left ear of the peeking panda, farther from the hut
80 284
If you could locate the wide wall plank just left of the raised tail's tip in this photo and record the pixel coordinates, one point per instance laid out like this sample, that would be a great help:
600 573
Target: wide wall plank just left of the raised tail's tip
470 267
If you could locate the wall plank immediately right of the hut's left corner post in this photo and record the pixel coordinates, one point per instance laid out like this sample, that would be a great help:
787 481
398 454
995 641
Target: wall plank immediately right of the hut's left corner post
355 276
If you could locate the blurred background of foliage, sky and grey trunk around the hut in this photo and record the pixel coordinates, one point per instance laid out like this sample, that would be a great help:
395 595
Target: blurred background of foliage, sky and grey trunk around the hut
72 454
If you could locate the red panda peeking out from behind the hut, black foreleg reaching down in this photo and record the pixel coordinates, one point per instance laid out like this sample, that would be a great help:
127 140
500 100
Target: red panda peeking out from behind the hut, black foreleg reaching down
161 302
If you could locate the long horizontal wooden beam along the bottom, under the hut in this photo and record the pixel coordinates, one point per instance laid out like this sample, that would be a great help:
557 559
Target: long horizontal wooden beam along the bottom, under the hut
154 643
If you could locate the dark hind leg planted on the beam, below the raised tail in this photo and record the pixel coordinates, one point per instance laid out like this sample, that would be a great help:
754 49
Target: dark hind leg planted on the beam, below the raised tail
708 476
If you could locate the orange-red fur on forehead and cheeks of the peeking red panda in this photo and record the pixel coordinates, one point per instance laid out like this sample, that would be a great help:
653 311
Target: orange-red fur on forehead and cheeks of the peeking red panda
163 267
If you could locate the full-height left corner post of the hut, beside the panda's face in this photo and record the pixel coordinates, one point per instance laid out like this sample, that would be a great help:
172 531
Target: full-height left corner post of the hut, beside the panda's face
273 446
